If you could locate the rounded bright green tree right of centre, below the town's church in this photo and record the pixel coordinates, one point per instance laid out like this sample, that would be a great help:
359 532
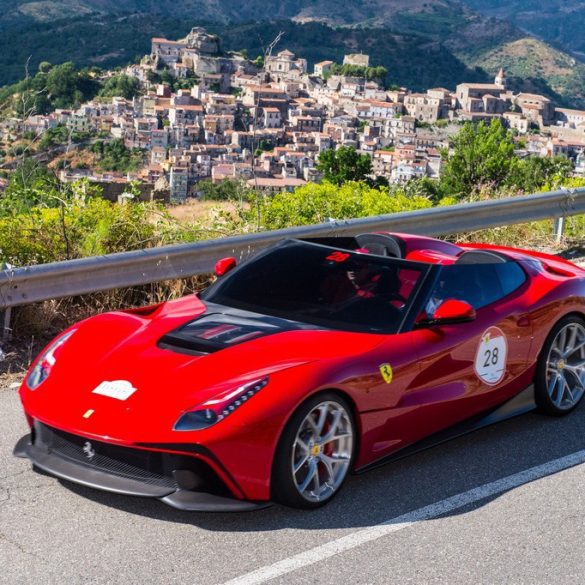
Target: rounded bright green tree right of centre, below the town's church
483 154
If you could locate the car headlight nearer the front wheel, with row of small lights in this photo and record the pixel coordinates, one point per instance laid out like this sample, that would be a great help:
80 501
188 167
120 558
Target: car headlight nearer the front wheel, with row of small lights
215 410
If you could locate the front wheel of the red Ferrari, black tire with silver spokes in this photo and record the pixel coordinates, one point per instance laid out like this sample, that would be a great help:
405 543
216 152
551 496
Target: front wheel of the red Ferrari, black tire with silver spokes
285 482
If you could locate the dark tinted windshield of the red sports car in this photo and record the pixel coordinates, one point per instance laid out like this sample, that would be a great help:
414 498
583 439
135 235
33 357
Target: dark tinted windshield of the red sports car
316 284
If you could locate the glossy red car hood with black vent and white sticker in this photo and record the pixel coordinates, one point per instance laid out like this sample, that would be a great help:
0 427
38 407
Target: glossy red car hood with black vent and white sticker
130 347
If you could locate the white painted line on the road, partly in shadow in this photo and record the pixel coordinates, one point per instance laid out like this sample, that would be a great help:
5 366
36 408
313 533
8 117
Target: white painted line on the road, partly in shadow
356 539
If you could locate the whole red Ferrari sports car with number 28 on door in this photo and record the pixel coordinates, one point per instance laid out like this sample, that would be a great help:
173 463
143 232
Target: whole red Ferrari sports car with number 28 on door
311 360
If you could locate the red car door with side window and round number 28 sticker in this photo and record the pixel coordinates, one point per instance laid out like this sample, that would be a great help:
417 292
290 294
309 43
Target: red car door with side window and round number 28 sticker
469 367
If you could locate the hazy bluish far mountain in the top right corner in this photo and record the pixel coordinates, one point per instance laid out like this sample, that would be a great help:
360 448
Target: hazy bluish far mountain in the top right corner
560 22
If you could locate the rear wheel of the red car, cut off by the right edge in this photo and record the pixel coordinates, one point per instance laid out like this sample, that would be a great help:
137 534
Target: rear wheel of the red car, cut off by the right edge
556 385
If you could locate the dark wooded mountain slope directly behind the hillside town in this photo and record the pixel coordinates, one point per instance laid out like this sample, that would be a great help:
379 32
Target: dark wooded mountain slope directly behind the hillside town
423 43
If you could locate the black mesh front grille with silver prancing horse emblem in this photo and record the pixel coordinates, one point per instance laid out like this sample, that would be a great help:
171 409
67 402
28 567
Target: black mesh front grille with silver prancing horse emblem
150 467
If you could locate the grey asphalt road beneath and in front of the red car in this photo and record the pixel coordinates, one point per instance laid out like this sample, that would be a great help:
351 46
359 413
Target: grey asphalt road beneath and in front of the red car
53 532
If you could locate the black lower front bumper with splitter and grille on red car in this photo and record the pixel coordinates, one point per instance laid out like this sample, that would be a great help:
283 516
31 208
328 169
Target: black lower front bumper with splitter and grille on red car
180 481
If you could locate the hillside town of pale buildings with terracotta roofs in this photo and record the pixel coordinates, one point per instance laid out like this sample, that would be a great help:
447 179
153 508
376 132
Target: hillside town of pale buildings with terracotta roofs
265 122
